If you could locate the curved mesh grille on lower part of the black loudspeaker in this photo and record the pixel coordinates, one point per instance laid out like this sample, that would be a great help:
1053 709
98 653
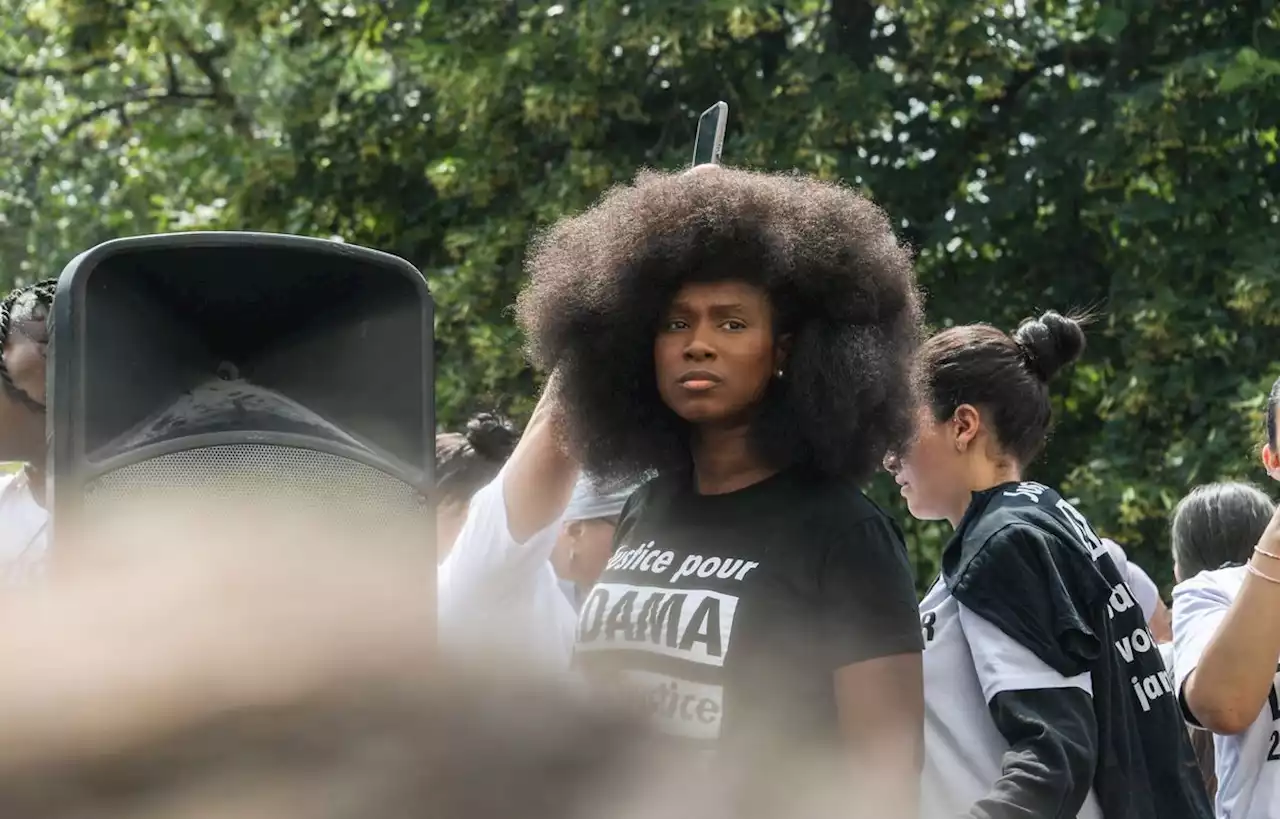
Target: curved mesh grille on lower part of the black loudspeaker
300 479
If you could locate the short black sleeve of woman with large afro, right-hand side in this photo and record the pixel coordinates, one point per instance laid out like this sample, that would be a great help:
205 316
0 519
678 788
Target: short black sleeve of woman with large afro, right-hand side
868 596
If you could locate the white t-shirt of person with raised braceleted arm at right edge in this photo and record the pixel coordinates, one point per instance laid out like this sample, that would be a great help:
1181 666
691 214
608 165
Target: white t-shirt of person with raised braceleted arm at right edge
1247 763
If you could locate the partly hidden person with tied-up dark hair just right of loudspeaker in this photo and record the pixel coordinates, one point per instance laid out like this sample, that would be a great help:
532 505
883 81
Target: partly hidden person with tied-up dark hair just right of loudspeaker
465 463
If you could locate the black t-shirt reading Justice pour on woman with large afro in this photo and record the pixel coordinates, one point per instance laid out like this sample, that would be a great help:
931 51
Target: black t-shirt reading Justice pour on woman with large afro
726 616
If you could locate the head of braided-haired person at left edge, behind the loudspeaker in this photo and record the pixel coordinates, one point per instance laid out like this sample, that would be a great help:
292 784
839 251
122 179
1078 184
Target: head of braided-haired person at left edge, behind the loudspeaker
24 350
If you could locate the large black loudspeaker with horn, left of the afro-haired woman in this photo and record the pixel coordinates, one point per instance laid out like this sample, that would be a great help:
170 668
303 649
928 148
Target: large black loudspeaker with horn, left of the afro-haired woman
243 365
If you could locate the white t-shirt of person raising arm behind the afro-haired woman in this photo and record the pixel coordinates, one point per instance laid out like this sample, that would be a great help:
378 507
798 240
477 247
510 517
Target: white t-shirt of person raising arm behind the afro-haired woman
502 600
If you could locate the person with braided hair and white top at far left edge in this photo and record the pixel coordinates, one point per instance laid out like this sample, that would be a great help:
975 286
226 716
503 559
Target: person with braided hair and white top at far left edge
24 349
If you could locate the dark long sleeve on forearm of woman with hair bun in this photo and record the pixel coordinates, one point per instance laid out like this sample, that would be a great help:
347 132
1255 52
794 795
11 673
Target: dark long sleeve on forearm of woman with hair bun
1054 751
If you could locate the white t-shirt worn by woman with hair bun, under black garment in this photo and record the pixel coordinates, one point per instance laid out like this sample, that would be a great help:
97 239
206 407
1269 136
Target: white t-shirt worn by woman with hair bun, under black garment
968 661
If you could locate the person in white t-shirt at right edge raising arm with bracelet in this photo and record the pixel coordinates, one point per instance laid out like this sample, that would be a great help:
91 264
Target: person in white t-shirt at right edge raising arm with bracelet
1227 646
